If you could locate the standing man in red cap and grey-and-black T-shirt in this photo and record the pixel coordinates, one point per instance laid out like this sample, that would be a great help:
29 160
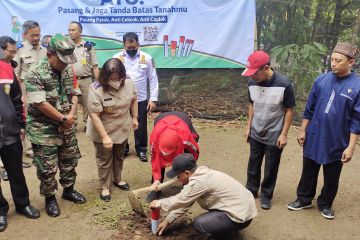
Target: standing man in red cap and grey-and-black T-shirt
271 97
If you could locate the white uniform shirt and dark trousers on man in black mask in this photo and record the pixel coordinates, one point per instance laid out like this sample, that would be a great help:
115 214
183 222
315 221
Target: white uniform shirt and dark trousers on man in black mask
141 69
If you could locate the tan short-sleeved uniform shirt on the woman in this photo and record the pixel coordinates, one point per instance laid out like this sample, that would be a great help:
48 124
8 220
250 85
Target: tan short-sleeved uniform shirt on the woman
114 109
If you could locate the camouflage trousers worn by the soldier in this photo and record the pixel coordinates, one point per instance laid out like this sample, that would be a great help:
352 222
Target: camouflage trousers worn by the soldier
48 159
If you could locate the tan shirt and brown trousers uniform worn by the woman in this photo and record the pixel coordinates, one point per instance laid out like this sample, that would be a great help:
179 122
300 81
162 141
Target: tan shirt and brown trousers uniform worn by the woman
114 107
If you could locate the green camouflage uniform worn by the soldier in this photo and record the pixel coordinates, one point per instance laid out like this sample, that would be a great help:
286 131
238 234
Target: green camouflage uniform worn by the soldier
52 149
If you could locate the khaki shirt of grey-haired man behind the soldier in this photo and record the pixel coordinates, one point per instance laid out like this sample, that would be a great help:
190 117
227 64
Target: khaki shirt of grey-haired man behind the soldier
27 56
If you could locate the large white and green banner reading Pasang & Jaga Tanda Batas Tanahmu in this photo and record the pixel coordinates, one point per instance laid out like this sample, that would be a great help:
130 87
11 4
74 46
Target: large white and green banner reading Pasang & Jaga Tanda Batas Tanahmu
176 33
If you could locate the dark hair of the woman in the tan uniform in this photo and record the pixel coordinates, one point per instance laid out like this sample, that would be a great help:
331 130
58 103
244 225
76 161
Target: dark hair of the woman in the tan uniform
113 65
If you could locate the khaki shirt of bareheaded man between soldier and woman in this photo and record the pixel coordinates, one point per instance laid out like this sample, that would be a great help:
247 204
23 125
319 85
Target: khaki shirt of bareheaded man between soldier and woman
86 60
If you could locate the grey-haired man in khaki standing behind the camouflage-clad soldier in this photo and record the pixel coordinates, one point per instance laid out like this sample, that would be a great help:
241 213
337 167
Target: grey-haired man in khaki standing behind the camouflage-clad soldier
30 53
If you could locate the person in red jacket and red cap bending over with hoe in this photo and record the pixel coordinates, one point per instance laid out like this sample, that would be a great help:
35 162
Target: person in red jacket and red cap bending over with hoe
173 134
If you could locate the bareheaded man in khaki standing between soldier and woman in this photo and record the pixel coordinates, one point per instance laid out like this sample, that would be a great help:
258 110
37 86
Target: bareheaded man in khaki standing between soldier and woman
86 66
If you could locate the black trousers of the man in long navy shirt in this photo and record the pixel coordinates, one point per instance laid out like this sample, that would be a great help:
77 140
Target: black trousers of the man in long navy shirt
307 186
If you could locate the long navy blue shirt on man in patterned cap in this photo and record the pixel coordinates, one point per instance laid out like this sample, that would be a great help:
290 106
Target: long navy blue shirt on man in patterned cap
333 108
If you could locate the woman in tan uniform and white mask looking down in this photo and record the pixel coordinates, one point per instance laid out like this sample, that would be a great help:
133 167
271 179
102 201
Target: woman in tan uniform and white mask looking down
110 101
